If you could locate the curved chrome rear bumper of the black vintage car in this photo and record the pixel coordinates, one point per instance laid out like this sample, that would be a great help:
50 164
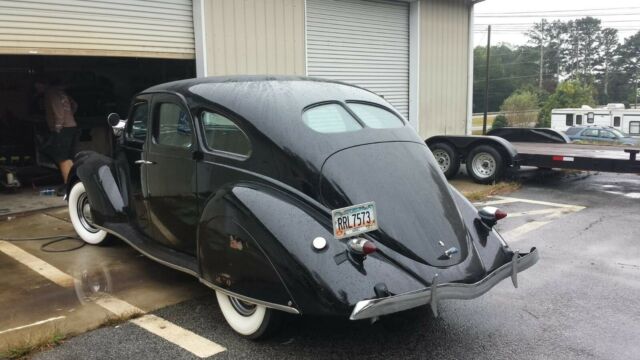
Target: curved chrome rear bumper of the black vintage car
381 306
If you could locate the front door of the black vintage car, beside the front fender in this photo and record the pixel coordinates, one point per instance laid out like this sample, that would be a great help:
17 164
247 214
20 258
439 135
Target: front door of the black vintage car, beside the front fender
133 145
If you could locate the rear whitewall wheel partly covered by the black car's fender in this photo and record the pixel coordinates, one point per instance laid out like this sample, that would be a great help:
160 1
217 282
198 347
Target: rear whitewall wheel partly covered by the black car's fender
249 320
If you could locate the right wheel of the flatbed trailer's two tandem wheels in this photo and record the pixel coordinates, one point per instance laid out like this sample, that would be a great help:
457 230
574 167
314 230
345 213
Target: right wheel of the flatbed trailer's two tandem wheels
485 164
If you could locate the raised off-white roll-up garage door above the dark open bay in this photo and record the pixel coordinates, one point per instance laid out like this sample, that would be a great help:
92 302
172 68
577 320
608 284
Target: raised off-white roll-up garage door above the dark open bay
141 28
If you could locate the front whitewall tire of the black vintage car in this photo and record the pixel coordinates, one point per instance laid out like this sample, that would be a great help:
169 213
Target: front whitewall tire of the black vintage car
80 214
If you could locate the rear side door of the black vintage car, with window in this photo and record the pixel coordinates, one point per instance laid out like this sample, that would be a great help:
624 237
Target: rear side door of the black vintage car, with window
171 174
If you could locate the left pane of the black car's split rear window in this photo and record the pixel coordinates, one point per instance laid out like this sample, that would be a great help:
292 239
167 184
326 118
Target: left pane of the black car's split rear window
330 118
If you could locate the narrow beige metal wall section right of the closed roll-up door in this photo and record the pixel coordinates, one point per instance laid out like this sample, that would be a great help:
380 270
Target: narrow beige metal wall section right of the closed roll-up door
444 67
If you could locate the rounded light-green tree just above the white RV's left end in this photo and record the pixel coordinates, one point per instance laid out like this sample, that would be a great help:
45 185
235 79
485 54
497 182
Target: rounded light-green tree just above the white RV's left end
568 94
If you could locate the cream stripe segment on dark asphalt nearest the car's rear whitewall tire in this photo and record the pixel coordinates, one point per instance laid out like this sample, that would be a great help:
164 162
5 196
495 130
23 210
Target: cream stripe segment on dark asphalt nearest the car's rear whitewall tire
184 338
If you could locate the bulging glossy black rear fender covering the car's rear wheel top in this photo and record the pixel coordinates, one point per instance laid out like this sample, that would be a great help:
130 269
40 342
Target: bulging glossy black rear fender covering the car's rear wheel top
272 259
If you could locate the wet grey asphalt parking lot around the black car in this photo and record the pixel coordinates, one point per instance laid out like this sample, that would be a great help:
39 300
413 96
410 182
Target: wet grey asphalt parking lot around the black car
581 301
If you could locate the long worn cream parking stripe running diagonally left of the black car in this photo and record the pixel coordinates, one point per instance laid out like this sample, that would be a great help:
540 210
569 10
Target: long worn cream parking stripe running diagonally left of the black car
186 339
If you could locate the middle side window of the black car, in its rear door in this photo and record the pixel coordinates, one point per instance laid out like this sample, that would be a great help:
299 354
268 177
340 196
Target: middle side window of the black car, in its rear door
173 125
